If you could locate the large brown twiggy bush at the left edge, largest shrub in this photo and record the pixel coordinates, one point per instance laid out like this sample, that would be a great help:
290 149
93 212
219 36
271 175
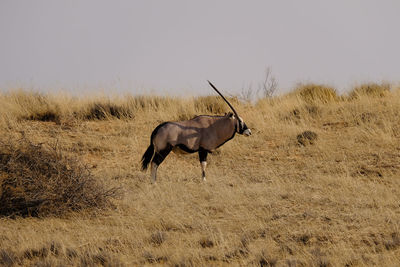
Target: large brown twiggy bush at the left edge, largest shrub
39 180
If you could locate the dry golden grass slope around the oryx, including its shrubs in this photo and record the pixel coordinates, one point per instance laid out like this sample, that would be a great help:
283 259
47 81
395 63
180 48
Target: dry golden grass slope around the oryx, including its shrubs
316 184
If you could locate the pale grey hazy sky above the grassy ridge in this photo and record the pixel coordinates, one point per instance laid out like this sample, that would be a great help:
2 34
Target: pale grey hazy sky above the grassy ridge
174 46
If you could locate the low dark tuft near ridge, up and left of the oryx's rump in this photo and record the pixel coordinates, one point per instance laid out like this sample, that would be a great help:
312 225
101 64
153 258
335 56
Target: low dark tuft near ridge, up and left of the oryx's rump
103 111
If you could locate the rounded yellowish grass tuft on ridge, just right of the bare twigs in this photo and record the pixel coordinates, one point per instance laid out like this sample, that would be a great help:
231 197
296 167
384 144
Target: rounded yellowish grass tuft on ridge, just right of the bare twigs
311 93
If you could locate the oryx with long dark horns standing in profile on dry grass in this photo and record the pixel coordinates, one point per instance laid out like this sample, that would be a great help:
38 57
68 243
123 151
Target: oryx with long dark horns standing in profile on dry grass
201 134
